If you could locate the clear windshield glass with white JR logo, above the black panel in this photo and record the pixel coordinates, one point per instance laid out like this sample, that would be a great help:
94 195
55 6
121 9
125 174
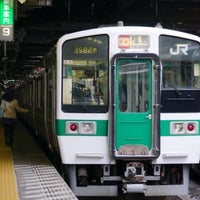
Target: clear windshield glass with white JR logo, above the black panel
181 63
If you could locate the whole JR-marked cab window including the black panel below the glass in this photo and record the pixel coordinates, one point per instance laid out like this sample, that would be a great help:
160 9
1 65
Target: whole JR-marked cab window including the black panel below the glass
181 74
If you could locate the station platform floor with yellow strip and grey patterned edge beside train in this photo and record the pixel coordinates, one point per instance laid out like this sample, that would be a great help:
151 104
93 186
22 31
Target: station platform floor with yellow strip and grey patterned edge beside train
26 173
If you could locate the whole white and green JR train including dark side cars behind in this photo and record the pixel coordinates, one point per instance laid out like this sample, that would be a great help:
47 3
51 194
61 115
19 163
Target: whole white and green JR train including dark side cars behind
121 106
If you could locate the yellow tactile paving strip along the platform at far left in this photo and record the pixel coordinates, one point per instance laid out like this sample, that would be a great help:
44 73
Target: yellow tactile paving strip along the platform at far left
8 187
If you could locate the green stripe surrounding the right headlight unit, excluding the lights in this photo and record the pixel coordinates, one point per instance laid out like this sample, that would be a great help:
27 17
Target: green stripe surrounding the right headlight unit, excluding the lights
165 127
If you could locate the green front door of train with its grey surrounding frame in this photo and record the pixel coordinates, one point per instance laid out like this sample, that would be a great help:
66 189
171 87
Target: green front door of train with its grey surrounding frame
136 105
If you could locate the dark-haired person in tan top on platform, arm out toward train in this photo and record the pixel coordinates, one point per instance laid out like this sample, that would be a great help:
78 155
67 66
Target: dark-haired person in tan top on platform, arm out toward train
10 115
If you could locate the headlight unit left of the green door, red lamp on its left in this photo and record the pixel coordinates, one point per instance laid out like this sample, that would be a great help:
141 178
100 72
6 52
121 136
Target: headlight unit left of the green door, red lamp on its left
80 127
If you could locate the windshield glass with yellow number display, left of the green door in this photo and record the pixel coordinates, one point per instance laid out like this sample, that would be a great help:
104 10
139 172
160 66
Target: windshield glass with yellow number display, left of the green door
85 74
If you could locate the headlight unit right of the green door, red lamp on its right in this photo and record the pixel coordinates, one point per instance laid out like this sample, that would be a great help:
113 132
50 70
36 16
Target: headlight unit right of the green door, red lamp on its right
184 128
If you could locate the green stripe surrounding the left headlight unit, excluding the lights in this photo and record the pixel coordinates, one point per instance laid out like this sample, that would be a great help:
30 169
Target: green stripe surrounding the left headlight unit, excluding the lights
101 129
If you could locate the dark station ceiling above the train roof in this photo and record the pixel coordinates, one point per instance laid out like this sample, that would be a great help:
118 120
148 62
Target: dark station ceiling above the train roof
39 23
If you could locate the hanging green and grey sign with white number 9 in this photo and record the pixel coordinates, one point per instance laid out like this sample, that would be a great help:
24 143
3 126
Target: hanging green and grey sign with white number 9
6 20
